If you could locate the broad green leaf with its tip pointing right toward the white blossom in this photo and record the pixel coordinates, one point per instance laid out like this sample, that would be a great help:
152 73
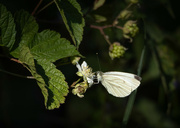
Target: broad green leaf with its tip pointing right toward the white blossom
50 46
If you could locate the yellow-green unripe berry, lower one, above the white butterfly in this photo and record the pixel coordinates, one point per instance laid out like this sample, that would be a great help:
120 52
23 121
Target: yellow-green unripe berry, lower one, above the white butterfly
116 50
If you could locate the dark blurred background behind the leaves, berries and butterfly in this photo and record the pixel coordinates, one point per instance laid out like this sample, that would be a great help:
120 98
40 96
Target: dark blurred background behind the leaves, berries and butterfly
21 101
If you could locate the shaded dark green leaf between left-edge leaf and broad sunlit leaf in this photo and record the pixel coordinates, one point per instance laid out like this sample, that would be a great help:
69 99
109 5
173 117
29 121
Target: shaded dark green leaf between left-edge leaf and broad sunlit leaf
27 26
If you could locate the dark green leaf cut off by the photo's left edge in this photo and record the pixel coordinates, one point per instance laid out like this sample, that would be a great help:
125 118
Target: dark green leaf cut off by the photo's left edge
7 28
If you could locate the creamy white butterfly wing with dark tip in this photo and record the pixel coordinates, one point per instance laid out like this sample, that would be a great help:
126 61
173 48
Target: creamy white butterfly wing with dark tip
120 84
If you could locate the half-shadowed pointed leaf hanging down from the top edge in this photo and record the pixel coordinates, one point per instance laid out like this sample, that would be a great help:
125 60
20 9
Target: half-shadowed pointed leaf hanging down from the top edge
72 16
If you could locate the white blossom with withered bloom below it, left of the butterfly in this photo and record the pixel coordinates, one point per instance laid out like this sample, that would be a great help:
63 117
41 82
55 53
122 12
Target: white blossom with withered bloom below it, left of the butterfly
86 72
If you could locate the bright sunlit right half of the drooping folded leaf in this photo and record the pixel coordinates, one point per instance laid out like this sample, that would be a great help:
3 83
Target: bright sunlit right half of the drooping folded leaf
57 86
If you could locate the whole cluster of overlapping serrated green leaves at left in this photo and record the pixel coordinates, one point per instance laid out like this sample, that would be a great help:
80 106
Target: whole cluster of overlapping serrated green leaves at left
36 51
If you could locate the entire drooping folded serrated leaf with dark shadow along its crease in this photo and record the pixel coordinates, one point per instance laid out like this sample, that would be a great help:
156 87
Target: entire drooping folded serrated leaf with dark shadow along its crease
50 80
